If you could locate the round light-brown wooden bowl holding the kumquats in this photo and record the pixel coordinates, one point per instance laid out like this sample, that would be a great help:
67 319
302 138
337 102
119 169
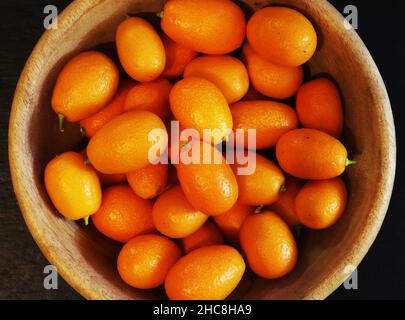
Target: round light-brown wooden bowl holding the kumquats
87 260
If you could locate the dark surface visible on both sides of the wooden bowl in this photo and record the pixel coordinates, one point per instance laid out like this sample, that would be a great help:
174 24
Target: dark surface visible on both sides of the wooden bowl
380 275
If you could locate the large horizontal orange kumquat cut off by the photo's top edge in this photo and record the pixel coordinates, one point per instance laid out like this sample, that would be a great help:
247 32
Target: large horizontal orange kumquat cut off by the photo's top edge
210 26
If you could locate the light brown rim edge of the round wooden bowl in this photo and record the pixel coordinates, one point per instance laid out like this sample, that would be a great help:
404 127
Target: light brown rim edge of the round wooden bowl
65 20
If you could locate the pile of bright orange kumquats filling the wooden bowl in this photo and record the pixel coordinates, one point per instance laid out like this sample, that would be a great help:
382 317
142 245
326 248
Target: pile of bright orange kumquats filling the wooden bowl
171 170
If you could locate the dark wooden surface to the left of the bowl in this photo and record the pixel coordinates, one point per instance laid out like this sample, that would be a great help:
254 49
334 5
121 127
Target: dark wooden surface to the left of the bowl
21 261
